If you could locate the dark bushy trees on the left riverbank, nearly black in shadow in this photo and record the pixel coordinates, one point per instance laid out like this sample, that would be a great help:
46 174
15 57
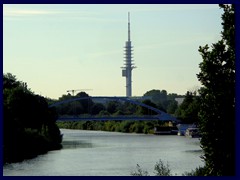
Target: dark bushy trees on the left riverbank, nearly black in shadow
29 125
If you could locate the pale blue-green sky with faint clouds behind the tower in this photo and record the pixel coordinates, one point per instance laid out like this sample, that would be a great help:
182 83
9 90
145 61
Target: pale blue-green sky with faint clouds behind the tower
55 48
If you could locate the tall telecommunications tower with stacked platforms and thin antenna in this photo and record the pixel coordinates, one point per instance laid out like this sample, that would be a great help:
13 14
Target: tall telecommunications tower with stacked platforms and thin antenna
128 63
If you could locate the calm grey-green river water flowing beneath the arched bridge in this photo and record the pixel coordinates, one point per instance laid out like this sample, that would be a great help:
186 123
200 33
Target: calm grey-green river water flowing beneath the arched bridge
99 153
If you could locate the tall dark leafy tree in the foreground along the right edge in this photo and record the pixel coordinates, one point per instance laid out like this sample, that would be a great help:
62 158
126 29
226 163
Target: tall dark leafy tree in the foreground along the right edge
217 110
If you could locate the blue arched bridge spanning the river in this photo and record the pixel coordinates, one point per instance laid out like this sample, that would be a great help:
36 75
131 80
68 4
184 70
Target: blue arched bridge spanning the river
158 114
